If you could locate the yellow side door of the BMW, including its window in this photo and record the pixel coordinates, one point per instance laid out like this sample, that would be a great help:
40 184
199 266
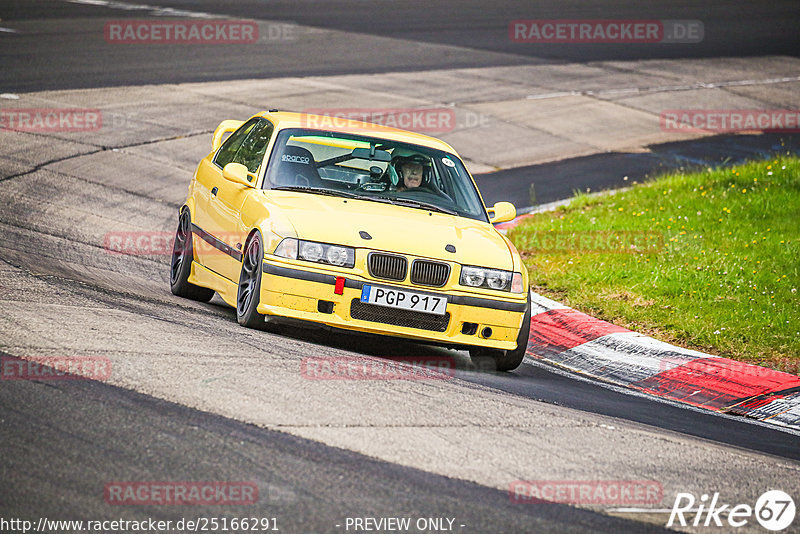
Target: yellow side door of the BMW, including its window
218 217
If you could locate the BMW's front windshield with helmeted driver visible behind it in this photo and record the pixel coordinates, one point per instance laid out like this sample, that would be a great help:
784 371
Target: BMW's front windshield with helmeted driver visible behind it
335 163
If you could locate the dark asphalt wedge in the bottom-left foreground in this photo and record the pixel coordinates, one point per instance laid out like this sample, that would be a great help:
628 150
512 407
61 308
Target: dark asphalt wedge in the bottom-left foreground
306 486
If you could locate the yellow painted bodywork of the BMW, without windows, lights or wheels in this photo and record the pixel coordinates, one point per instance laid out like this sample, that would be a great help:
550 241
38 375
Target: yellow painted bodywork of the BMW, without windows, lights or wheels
224 214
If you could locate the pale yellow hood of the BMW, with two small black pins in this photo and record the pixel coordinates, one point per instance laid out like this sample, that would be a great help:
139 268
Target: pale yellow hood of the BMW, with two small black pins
392 228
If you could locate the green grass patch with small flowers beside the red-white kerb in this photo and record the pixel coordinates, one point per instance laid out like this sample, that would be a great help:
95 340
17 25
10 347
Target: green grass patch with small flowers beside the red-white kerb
708 260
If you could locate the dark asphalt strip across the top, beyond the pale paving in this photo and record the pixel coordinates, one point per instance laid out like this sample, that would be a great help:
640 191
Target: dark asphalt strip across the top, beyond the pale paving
442 30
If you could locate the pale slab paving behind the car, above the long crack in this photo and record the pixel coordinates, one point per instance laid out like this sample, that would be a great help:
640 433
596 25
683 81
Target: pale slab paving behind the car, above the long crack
496 117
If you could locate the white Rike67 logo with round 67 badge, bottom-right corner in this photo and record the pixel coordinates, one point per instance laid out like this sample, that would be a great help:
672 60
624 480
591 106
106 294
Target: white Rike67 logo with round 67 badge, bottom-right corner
774 510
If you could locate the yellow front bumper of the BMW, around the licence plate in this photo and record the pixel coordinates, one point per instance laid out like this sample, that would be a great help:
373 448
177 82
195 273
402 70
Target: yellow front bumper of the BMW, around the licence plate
303 293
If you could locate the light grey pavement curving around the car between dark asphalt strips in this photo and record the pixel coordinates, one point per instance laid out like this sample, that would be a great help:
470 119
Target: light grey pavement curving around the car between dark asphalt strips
62 193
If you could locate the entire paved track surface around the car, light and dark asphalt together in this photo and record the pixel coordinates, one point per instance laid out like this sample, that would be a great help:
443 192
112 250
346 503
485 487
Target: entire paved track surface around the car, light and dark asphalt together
192 396
